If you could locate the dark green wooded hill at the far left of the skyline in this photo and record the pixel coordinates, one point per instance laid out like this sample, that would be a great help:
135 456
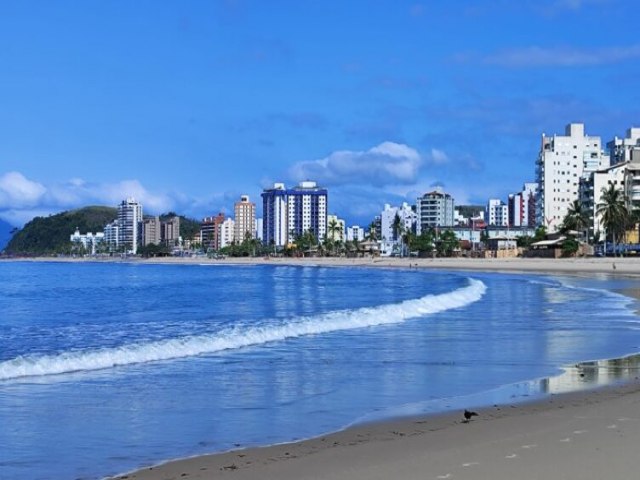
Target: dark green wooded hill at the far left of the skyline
50 235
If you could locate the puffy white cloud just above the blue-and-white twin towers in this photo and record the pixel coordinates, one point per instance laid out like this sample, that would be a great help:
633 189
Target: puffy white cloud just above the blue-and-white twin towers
386 164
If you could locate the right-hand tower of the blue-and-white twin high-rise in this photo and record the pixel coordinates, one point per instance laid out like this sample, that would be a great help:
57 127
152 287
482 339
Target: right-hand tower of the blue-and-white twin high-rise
307 210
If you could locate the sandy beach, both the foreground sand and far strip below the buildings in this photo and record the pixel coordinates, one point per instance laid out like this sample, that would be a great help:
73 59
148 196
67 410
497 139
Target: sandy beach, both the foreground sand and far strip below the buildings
590 434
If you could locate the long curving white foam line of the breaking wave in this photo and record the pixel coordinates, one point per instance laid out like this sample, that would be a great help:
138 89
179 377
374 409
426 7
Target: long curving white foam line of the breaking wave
239 336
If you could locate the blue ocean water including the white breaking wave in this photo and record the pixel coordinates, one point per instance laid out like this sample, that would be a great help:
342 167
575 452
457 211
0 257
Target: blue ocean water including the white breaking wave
108 367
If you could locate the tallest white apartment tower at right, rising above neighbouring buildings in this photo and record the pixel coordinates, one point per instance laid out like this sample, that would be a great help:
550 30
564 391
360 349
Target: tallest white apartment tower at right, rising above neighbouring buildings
562 161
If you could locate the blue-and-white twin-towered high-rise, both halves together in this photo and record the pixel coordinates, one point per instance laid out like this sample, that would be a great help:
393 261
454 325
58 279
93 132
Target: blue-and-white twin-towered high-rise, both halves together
288 213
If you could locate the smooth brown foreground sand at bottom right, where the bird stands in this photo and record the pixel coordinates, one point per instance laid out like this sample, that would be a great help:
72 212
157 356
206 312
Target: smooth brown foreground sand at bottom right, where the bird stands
434 445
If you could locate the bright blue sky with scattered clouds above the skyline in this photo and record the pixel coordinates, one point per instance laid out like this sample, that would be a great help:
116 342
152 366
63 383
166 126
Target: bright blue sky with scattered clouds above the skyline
186 105
